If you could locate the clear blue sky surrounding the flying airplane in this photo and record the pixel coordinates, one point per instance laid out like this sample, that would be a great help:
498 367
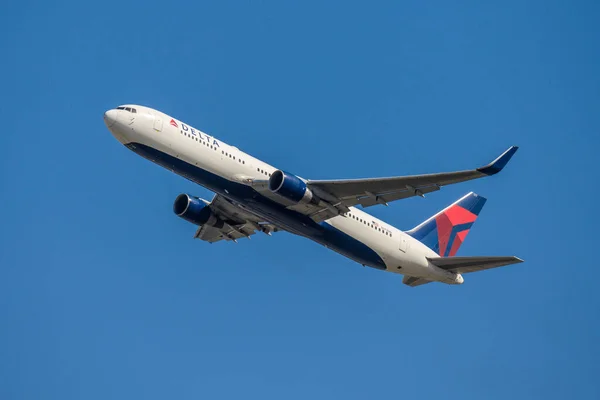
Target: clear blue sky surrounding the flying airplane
104 294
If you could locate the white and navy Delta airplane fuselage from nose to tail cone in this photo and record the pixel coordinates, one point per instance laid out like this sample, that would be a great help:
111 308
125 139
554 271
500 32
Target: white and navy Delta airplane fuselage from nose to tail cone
216 165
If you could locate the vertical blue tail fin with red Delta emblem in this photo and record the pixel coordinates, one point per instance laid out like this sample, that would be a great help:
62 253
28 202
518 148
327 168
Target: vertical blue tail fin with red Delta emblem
447 230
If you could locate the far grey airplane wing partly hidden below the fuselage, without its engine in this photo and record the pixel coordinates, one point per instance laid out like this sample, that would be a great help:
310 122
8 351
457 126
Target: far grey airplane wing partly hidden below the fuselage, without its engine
237 223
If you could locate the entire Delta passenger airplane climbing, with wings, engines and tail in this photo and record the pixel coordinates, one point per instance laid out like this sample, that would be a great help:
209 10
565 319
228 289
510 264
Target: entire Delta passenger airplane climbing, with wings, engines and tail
253 196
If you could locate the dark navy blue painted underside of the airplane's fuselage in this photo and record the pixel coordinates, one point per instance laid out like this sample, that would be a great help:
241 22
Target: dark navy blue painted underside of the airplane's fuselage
266 208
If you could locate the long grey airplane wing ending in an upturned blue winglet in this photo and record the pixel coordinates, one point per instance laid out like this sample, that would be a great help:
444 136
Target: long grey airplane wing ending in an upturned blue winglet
372 191
